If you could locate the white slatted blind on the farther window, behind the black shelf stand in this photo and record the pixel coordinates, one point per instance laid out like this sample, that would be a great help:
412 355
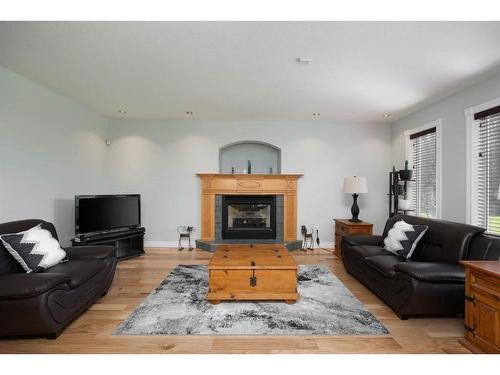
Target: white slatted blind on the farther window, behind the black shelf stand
423 191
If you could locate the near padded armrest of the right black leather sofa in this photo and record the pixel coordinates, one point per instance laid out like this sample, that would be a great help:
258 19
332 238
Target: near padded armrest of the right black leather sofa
433 272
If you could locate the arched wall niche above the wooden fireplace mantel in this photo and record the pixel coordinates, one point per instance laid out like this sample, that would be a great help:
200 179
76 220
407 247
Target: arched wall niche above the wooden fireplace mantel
264 157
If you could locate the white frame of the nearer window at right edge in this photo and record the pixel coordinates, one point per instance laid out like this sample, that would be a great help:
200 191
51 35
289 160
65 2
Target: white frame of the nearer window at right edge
471 175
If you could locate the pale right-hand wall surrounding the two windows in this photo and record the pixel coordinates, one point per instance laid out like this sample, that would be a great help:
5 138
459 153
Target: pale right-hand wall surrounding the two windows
451 111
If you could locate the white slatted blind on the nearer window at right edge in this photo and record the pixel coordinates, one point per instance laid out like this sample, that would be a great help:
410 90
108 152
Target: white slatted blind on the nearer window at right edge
486 165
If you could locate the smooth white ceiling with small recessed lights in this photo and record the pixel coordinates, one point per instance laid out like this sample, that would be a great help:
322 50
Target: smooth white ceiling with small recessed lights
248 70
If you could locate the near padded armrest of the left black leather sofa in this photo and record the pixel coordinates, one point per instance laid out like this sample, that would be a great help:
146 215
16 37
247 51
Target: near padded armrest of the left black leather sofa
25 285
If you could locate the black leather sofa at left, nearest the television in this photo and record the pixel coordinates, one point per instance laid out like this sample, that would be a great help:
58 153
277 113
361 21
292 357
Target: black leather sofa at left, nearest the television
43 304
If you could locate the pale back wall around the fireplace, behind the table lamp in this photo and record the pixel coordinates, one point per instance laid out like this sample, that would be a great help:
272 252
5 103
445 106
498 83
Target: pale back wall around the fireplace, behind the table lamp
159 159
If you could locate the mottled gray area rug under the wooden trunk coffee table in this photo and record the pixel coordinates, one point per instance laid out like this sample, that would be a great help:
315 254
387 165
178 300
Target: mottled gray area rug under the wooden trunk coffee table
178 307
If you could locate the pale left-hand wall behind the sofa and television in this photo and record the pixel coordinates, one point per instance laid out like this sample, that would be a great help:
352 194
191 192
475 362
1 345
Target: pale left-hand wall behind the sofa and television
50 149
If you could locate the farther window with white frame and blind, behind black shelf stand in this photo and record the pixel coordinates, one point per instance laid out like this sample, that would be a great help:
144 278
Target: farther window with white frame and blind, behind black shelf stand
423 155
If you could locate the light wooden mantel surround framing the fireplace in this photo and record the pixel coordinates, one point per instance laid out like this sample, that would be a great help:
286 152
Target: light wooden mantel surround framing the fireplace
254 184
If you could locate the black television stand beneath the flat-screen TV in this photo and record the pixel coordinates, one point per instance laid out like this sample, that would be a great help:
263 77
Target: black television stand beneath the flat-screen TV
129 243
